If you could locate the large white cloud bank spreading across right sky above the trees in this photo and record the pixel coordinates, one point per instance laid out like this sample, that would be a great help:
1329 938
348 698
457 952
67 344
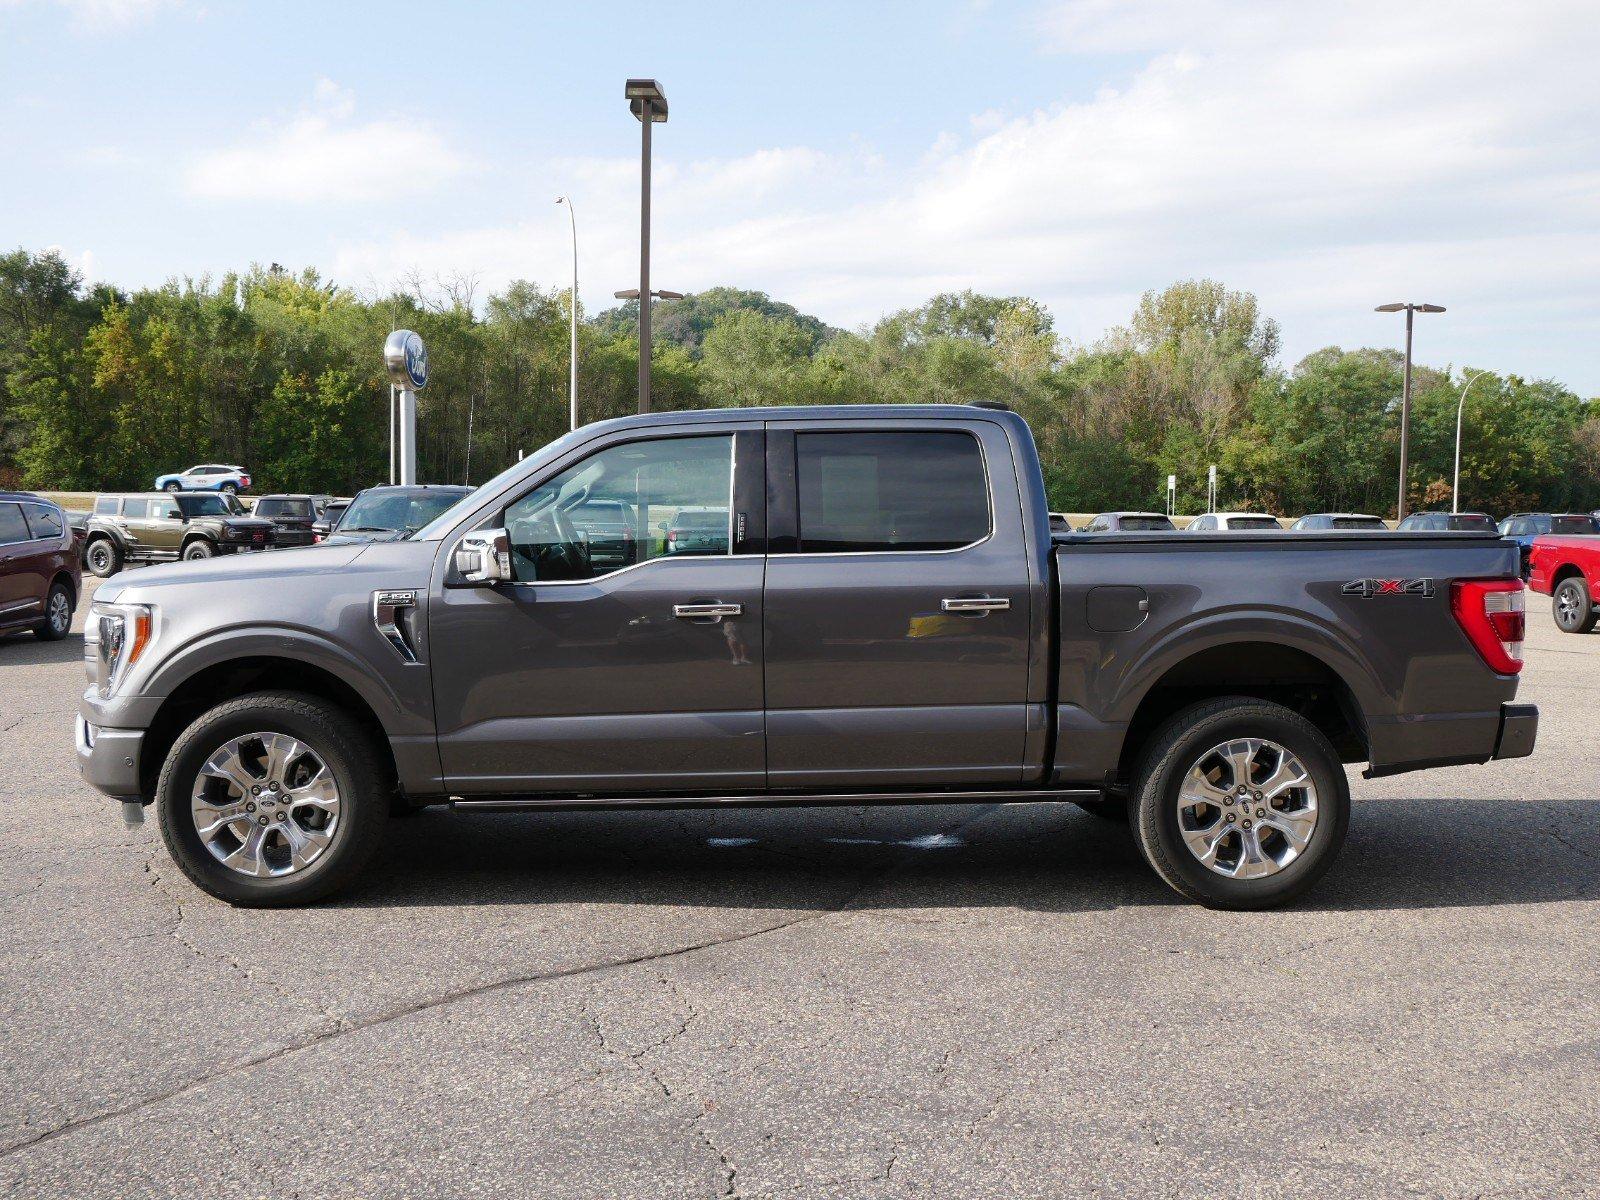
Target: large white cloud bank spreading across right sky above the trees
1324 156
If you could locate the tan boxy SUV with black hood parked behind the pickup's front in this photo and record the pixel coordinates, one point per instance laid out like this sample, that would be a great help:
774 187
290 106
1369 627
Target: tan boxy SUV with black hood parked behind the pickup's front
159 527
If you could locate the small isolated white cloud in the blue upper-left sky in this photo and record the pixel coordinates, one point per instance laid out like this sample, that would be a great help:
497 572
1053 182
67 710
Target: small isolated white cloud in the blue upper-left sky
322 156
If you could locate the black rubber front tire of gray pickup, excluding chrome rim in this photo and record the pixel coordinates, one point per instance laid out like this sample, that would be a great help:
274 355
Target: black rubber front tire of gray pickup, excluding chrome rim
346 750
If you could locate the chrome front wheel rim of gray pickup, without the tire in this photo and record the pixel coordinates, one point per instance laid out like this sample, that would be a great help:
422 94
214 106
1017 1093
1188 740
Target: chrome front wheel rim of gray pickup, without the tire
266 806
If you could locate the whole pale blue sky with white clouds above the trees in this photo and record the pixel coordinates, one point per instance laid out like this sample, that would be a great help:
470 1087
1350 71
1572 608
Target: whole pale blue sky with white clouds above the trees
850 159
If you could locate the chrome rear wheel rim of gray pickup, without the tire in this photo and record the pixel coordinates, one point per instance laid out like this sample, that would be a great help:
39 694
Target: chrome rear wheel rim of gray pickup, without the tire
1247 809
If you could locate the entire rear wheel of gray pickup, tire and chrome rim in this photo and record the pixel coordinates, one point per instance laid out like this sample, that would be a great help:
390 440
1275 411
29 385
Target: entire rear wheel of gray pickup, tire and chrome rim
1241 804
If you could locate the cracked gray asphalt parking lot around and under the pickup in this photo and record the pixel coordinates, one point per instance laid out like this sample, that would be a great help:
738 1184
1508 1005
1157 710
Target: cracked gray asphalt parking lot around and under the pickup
943 1002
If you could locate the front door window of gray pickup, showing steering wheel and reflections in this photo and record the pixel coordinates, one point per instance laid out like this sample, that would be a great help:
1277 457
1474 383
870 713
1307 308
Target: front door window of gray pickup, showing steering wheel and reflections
625 506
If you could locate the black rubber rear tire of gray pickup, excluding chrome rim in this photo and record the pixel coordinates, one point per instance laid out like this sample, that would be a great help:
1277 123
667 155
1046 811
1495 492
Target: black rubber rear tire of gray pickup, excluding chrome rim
1180 745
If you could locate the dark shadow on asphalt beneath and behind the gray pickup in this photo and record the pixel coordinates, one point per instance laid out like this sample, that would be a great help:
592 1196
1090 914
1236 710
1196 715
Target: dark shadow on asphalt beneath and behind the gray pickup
1042 858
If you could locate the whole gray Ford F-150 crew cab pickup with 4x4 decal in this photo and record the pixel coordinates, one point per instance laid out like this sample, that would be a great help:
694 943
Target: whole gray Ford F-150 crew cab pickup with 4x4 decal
796 607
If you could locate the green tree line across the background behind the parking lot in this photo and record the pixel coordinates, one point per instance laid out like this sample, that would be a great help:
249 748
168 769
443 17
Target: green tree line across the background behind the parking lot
105 390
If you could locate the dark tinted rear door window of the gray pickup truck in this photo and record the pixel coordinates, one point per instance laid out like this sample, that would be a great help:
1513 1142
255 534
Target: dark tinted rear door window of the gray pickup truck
890 492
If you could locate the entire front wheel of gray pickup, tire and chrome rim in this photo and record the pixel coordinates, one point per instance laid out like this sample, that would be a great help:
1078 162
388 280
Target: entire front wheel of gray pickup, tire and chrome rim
273 799
